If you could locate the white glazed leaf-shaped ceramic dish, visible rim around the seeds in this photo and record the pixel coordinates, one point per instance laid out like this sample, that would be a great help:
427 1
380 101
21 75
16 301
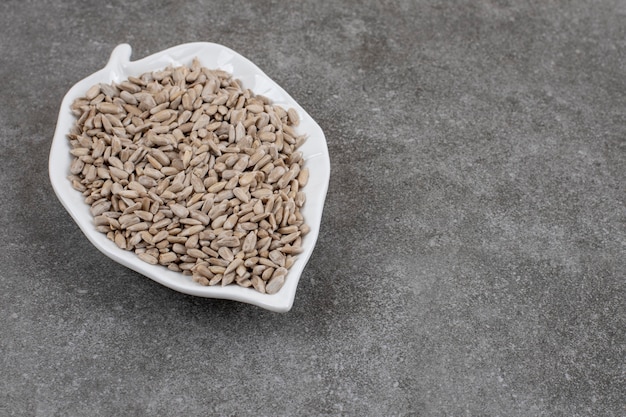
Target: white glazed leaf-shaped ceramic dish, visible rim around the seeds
210 55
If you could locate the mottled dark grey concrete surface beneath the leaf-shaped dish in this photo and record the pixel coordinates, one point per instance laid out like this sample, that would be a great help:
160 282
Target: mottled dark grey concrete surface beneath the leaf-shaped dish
473 248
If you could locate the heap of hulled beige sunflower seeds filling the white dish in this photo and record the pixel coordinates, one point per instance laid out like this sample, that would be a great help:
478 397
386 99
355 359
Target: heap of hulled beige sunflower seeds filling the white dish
192 171
